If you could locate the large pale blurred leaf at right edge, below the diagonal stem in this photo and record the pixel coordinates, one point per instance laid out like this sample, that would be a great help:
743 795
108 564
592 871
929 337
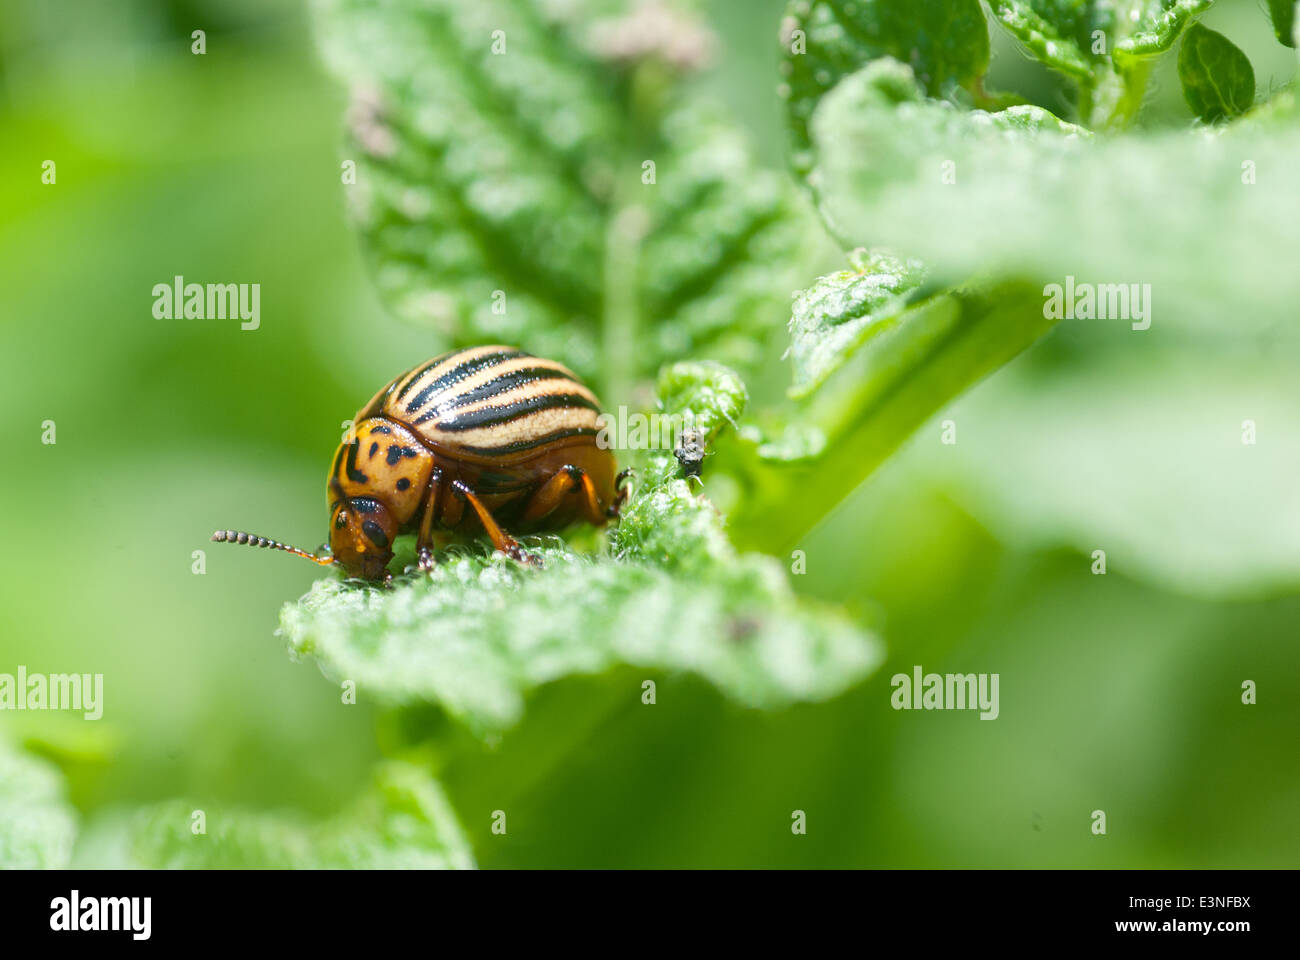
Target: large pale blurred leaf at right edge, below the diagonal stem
1145 460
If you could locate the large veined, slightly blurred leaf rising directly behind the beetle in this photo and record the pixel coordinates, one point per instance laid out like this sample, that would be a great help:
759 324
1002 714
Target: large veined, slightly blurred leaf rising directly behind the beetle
508 196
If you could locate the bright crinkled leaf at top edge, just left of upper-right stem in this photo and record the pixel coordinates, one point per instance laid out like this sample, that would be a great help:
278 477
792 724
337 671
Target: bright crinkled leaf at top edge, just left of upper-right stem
1060 33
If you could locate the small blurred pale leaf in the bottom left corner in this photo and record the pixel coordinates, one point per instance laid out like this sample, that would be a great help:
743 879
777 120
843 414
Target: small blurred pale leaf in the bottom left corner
37 824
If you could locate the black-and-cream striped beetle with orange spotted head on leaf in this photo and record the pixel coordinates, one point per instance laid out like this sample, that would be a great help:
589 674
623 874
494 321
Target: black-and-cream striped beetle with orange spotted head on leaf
473 440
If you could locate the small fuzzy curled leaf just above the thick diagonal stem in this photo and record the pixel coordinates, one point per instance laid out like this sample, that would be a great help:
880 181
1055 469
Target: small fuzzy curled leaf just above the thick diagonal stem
838 314
